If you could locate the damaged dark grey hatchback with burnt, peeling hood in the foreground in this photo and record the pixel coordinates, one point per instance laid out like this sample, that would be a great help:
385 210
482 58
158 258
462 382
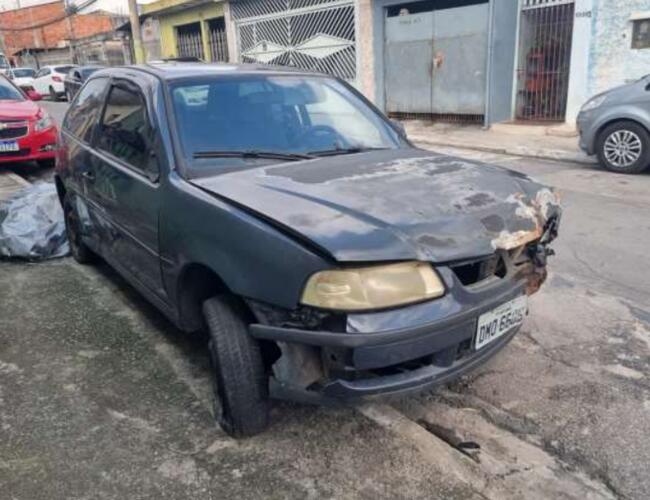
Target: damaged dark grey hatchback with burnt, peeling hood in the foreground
280 211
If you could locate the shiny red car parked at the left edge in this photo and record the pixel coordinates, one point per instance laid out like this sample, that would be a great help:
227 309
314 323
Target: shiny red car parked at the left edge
27 132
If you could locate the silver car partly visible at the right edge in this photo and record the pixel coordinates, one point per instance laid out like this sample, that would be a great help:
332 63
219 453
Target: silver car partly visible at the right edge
615 125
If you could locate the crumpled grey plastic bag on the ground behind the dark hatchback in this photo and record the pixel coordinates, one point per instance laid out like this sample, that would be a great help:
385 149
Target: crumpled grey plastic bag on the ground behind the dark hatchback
32 225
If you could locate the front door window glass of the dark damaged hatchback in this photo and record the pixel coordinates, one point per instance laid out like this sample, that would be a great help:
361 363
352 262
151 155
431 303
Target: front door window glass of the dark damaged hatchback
126 134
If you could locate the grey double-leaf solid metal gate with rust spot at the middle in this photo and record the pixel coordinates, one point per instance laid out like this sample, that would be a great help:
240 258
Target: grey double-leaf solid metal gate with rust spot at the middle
436 61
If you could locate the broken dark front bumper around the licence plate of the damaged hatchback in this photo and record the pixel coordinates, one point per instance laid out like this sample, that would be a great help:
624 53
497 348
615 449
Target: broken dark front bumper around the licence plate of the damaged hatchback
381 363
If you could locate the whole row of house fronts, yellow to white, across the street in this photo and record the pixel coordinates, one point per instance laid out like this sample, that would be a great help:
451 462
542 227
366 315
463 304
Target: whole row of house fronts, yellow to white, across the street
481 61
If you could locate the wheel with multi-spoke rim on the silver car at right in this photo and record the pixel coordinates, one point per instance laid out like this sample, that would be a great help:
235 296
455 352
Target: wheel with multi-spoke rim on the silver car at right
605 147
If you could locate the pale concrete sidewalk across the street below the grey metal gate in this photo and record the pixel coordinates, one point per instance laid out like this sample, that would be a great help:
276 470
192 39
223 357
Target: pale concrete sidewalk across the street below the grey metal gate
550 143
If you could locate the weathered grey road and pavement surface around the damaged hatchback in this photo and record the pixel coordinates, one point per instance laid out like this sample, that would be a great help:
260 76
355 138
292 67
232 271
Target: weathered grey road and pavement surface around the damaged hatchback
100 397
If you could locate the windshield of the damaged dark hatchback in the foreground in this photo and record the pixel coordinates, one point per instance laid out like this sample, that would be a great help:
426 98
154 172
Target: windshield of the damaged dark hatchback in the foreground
263 115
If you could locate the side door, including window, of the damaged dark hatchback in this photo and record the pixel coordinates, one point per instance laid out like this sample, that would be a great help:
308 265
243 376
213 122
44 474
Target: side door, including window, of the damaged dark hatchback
124 190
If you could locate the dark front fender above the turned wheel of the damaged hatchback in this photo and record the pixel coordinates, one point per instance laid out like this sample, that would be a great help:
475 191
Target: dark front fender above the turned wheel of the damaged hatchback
253 258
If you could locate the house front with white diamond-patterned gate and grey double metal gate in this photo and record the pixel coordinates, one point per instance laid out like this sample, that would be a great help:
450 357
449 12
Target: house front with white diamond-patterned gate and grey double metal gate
427 58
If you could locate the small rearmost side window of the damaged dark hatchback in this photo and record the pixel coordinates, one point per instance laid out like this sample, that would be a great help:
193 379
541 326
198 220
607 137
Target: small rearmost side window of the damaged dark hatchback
84 112
